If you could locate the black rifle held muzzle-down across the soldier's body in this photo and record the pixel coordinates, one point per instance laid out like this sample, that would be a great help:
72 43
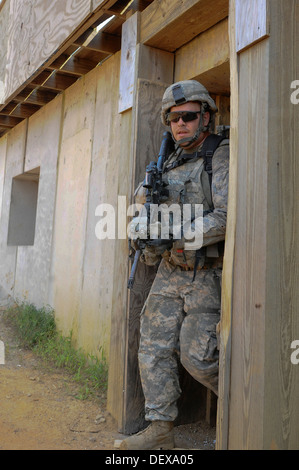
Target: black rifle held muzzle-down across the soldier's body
154 190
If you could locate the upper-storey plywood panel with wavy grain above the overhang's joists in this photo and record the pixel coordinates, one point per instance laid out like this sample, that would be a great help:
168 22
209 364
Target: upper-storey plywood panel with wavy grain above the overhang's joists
33 38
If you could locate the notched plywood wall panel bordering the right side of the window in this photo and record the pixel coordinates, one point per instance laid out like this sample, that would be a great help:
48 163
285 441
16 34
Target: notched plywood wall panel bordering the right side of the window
33 266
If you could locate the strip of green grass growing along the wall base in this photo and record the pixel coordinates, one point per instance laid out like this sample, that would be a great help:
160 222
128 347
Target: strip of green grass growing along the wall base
37 330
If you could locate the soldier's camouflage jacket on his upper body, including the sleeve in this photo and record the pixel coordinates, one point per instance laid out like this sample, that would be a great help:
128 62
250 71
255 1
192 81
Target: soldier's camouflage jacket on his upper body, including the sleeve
189 184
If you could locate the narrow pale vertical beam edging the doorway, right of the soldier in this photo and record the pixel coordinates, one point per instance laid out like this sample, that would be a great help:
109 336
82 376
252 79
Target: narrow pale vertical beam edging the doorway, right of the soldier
222 428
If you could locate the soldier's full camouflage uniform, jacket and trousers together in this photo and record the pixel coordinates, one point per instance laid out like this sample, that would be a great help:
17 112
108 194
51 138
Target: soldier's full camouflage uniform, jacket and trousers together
179 318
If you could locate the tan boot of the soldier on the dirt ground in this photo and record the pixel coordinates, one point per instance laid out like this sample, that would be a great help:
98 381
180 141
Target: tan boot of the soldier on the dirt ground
158 435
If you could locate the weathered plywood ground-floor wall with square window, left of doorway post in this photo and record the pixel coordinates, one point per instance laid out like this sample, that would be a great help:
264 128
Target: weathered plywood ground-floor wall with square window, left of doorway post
77 140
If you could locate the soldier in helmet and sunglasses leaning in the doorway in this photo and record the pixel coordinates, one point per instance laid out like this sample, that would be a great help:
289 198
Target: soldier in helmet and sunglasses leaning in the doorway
180 315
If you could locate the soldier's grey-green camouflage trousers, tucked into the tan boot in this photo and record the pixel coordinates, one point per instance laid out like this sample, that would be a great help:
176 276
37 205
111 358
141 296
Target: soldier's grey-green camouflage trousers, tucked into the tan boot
178 322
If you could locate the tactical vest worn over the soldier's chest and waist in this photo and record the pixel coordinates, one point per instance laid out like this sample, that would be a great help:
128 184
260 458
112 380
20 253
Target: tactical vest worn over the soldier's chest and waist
187 179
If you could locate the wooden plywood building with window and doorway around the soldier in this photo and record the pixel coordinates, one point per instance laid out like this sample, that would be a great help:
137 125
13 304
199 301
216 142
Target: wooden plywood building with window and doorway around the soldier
81 85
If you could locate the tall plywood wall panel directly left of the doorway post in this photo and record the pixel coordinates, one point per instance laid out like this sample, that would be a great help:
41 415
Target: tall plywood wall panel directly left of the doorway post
99 277
